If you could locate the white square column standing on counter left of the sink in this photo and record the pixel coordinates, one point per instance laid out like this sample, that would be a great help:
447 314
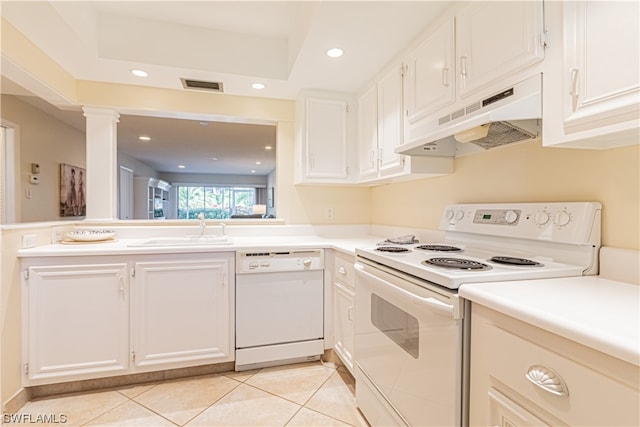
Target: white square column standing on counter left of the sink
102 163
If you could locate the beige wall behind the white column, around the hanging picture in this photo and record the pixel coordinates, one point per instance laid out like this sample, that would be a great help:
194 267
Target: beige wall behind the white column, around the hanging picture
49 142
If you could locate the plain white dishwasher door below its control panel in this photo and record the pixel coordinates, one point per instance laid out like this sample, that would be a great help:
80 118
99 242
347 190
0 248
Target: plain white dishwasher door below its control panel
279 314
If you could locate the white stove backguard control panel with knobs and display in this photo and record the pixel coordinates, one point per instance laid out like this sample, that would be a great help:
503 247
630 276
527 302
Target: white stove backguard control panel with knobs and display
571 222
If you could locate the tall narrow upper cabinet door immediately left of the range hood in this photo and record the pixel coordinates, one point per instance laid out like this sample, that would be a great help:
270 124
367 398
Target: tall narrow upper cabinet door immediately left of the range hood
390 129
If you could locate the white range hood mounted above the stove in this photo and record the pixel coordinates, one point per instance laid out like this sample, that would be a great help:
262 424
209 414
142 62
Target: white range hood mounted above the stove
510 116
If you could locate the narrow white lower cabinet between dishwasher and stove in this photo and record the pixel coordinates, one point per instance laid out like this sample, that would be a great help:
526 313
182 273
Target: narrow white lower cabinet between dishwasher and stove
344 309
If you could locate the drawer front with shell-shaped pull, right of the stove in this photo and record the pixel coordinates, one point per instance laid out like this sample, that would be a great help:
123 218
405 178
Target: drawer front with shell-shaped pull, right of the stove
566 389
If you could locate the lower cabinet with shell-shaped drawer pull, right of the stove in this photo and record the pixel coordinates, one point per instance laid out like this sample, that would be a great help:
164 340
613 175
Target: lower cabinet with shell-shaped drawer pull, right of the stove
522 375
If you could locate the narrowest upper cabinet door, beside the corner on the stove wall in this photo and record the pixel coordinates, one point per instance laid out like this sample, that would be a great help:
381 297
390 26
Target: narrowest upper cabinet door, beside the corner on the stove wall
368 134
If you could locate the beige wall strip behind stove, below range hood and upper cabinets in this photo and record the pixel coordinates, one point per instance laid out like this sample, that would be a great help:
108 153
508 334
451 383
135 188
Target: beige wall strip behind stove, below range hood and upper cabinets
525 173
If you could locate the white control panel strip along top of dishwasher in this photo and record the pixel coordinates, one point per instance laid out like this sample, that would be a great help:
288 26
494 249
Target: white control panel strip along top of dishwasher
272 261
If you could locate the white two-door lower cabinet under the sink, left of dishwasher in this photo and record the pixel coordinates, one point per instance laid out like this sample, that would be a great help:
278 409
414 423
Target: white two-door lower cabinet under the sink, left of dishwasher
85 318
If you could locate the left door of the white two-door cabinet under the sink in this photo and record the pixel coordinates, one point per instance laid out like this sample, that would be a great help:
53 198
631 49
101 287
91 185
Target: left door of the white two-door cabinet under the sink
76 322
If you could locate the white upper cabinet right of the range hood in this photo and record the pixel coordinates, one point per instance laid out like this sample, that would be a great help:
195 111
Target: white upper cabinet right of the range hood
592 87
